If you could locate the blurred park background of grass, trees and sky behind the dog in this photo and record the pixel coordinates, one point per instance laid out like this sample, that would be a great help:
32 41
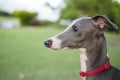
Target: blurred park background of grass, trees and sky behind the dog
25 24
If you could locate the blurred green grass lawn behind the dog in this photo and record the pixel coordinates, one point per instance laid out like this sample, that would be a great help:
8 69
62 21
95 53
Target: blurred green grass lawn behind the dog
24 57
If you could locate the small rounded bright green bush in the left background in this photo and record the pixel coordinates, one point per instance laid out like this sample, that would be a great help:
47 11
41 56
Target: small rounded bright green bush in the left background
25 16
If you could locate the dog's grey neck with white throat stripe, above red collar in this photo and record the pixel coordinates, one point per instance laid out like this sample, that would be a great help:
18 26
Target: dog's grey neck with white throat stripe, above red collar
93 57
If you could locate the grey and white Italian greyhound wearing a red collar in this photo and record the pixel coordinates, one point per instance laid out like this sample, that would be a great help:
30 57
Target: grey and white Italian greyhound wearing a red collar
87 35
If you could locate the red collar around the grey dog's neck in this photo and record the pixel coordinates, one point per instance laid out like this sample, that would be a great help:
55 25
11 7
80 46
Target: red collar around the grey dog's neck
97 70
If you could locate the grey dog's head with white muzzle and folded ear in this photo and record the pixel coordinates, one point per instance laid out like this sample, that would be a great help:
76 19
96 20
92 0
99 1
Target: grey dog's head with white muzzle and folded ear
82 33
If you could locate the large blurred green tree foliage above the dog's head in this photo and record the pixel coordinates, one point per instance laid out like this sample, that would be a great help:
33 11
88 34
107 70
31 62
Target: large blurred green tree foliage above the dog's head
76 8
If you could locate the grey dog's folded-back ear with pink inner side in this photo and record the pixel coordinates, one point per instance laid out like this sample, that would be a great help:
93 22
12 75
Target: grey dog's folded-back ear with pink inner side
103 21
